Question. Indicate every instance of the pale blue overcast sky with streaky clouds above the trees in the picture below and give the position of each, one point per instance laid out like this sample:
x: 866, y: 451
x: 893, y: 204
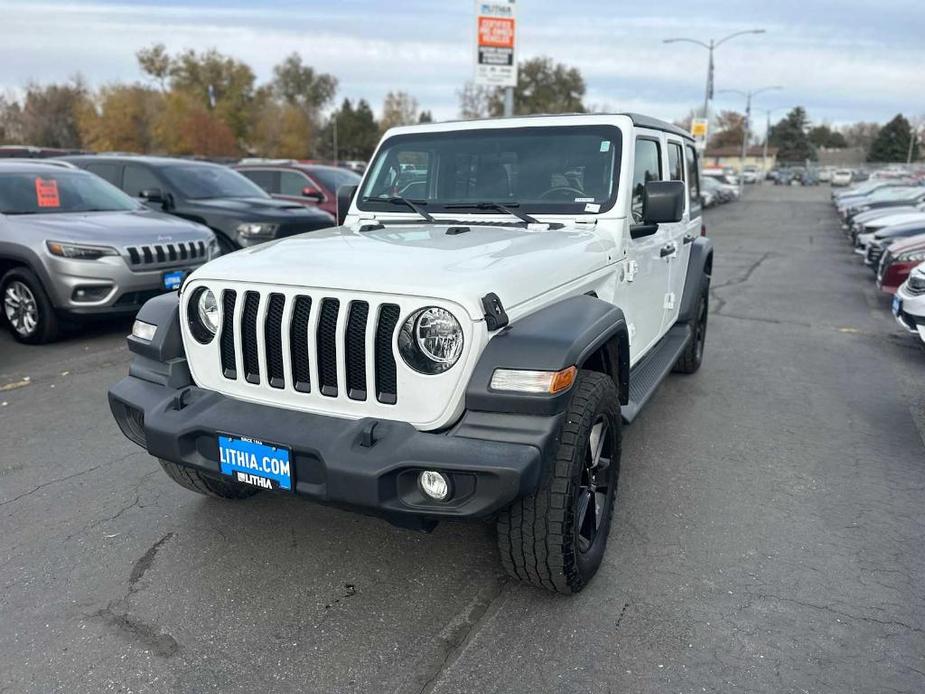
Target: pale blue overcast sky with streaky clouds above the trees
x: 844, y: 60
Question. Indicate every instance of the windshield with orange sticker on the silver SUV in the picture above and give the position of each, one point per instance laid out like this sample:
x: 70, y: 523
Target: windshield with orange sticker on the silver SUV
x: 56, y: 191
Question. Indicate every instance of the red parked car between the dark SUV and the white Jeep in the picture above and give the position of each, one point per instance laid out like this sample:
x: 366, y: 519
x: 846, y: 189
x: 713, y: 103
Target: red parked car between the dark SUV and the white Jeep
x: 306, y: 184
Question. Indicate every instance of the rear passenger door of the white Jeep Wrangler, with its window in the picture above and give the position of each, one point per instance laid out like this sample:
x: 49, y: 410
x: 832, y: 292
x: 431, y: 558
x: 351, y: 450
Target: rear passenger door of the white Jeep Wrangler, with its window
x: 682, y: 234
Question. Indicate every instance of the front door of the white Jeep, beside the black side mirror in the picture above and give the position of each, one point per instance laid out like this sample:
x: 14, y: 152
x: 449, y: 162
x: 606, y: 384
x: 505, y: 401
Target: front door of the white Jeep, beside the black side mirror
x: 646, y: 268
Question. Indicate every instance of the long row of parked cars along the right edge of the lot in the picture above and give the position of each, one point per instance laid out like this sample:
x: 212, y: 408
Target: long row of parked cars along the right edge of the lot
x: 885, y: 220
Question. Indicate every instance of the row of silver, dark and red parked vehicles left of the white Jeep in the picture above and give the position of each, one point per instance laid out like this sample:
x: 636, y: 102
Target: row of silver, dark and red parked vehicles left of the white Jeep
x: 86, y: 236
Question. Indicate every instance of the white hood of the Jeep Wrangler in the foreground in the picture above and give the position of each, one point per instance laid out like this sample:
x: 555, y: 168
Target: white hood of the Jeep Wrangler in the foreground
x: 423, y: 260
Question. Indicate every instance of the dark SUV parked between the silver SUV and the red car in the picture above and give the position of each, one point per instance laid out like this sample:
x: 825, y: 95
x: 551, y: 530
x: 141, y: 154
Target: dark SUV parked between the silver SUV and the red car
x: 240, y: 213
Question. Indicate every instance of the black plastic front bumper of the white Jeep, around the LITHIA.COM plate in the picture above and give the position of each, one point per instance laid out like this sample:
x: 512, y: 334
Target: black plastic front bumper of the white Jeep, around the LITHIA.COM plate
x: 367, y: 464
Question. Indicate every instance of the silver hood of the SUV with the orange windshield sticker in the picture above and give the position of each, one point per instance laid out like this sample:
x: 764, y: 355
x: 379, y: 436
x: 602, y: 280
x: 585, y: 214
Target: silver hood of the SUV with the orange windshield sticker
x: 110, y: 228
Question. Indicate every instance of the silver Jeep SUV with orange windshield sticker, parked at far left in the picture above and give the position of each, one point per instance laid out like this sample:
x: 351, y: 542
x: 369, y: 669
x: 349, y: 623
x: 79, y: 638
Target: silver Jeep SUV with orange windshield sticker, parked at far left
x: 72, y: 247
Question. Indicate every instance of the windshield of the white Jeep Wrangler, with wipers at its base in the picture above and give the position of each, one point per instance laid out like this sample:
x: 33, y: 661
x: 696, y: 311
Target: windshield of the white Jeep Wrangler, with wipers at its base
x: 556, y: 170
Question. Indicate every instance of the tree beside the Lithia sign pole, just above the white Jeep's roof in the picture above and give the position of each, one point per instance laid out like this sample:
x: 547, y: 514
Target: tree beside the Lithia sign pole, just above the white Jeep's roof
x: 543, y: 86
